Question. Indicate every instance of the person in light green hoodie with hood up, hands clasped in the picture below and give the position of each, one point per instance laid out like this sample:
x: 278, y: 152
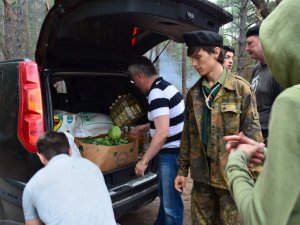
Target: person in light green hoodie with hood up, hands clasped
x: 275, y: 197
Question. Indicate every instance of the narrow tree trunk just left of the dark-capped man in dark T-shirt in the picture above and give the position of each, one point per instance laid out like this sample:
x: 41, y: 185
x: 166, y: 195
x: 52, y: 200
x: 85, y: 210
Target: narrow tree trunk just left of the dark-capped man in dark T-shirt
x: 242, y: 38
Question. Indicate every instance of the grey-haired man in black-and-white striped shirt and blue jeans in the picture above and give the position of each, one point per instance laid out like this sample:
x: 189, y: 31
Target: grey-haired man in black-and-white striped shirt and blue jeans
x: 166, y: 107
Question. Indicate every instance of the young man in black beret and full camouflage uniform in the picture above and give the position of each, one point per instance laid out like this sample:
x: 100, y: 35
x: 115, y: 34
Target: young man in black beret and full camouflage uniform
x: 220, y: 103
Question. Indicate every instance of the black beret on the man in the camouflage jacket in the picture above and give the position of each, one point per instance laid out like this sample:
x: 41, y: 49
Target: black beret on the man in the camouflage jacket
x: 203, y: 38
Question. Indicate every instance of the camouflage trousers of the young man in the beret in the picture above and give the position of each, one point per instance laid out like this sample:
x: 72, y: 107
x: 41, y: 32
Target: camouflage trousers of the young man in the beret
x: 213, y: 206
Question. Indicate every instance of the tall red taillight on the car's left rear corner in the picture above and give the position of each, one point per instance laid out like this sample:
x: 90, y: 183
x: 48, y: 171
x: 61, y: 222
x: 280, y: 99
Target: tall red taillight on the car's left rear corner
x: 31, y: 117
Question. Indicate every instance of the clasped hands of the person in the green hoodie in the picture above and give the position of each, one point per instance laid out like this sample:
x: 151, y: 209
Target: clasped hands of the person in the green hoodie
x: 253, y: 150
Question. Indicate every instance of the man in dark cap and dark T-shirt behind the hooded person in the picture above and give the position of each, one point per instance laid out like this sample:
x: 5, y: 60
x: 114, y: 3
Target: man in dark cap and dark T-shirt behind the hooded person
x: 262, y: 81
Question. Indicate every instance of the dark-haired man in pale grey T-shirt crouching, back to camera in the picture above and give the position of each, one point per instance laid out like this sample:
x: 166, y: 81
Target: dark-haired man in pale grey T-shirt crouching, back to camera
x: 67, y: 190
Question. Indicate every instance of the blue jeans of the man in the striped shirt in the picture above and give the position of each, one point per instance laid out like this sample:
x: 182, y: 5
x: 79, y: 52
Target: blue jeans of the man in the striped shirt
x: 171, y: 206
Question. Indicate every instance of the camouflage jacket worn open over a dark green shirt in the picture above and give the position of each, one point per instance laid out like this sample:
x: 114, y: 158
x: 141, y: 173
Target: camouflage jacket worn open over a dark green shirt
x: 233, y: 110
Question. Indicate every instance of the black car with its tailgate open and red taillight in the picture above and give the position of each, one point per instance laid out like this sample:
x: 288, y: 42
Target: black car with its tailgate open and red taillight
x: 86, y: 45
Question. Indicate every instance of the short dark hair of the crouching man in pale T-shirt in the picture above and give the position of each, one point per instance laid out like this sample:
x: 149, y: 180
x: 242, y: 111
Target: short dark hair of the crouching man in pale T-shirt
x: 52, y: 143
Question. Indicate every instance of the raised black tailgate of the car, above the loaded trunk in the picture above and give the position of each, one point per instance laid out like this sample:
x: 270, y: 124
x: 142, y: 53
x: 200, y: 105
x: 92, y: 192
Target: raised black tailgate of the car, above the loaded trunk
x: 109, y: 33
